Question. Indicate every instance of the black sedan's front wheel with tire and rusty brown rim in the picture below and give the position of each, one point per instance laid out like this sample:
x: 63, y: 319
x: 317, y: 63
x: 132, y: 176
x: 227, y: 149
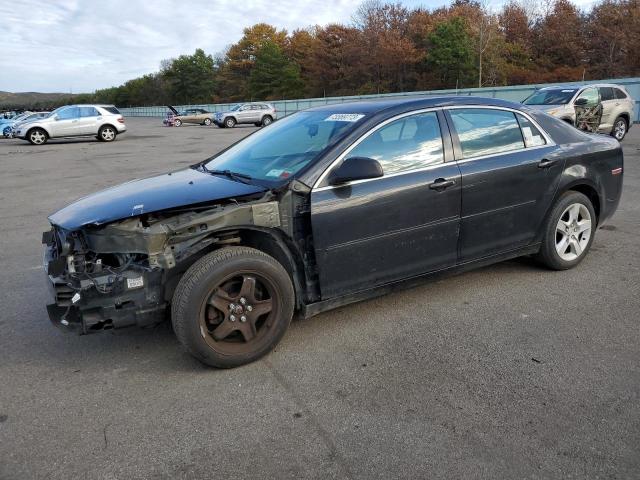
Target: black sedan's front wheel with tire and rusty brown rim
x: 232, y: 306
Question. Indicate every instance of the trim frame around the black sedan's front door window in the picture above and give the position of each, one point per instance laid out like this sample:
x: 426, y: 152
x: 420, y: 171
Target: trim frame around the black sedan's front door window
x: 341, y: 157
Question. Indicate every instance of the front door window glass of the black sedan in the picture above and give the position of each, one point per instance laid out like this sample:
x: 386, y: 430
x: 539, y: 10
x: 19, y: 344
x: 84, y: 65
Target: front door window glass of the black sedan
x: 409, y: 143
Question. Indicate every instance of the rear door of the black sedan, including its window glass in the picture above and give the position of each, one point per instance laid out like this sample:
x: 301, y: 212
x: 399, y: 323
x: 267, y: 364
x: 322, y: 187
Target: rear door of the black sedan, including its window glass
x: 510, y: 171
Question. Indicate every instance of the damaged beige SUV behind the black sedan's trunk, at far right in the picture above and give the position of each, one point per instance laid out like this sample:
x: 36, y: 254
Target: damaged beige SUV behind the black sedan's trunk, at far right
x: 617, y: 105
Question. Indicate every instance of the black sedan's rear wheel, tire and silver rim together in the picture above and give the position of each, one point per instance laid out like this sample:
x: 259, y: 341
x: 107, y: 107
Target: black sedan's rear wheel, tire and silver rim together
x: 568, y: 232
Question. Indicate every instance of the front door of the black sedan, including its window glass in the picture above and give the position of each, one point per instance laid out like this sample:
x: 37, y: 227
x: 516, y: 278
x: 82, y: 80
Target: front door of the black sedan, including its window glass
x: 371, y: 232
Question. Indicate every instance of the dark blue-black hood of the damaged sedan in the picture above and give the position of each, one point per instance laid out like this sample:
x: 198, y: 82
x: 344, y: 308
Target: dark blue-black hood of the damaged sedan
x: 176, y: 189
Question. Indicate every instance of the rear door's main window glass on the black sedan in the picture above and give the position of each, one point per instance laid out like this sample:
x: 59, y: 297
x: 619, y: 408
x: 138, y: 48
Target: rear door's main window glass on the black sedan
x: 486, y: 131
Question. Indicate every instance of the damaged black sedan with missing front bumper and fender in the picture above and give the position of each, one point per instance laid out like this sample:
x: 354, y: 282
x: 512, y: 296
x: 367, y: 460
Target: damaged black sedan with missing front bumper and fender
x: 325, y: 207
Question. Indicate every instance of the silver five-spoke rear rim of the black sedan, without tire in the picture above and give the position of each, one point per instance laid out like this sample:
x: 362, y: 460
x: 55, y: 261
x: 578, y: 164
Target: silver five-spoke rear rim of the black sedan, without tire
x: 573, y: 232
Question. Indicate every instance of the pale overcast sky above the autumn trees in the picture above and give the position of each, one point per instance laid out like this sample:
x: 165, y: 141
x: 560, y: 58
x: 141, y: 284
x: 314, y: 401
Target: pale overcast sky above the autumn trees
x: 79, y: 46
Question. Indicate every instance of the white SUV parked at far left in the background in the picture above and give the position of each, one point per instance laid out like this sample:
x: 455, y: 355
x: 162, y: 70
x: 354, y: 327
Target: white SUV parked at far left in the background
x: 101, y: 121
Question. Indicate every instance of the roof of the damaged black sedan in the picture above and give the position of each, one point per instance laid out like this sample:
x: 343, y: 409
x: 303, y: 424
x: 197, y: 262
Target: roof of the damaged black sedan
x: 404, y: 103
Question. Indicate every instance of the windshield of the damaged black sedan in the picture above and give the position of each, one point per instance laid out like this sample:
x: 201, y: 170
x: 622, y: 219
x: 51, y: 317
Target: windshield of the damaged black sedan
x: 279, y: 151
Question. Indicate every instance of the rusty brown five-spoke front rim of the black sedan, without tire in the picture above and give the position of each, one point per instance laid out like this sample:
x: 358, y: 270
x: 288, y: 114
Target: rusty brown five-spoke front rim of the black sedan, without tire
x: 239, y: 312
